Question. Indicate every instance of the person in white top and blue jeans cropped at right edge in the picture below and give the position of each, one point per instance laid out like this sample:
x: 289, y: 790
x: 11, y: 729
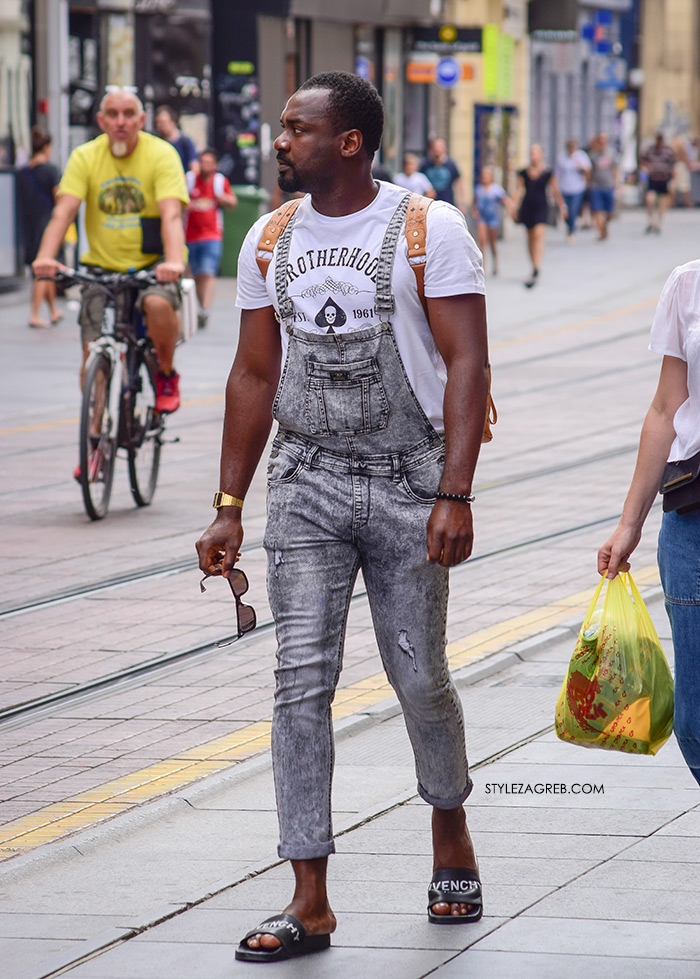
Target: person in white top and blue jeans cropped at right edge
x: 671, y: 434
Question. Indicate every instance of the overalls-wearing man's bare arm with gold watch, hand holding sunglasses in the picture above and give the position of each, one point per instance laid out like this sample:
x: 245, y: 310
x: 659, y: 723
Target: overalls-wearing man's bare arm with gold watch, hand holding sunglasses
x: 250, y: 392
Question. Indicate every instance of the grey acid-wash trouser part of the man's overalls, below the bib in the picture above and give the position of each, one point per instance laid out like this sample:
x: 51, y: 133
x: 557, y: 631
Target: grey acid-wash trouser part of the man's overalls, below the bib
x: 323, y: 525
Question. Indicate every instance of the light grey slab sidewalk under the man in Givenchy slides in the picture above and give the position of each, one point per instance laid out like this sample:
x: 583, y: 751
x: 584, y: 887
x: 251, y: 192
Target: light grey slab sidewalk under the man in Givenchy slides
x: 577, y: 882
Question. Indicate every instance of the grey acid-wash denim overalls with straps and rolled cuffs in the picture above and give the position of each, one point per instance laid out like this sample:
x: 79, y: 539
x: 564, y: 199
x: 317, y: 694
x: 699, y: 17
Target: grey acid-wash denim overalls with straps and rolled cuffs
x: 353, y: 474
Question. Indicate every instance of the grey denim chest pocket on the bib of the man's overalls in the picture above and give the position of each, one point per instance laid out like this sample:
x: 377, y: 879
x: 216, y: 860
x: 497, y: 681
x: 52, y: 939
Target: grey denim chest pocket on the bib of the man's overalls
x: 345, y: 399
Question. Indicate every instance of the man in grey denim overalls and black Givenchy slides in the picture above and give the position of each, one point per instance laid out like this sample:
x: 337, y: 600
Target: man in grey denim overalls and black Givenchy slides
x: 381, y: 411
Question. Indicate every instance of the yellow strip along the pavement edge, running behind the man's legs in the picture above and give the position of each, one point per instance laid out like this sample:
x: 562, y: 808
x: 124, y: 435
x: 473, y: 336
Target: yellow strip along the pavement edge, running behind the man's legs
x: 172, y: 774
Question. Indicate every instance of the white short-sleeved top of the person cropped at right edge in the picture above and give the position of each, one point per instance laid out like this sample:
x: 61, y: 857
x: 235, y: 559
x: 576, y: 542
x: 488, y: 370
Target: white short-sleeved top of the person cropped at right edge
x: 676, y: 332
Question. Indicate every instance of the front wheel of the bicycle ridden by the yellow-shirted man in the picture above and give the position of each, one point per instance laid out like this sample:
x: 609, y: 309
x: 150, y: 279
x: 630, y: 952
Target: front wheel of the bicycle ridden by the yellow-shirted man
x: 98, y: 439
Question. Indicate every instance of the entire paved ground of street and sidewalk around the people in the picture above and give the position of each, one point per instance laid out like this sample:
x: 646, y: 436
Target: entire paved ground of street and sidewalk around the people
x: 572, y: 379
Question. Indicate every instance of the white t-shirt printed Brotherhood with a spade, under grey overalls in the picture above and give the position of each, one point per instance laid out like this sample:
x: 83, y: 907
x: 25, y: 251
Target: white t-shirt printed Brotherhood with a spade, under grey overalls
x: 332, y: 262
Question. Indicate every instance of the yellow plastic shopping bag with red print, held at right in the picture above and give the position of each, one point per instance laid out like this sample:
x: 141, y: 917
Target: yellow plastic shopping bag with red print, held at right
x: 618, y: 690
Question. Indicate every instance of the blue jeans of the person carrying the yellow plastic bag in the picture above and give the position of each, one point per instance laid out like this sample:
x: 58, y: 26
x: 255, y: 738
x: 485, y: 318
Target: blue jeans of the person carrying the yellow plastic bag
x: 679, y: 564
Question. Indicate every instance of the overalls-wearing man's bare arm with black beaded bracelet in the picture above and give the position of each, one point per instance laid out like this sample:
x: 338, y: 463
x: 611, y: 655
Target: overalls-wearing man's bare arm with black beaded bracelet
x: 458, y: 324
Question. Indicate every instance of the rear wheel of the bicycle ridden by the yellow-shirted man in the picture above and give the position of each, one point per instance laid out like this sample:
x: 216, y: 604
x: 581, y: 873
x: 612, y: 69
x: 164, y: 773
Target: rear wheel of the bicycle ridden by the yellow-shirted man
x: 145, y: 428
